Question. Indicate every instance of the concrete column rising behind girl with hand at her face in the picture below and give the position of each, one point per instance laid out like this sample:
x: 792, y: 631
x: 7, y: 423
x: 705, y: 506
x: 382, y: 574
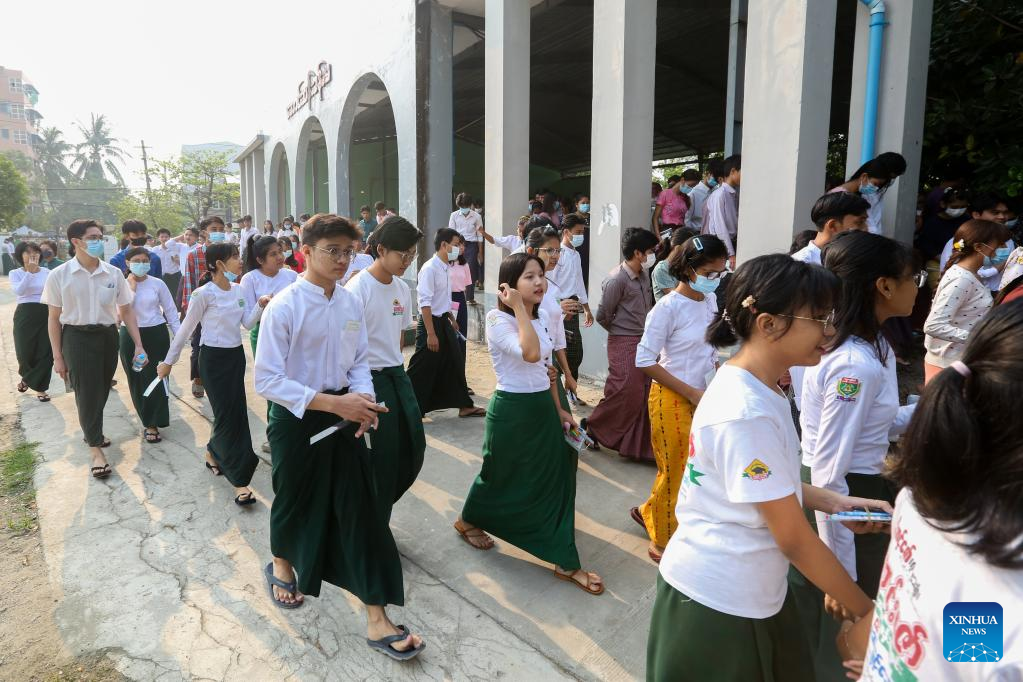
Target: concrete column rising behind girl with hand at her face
x: 507, y: 126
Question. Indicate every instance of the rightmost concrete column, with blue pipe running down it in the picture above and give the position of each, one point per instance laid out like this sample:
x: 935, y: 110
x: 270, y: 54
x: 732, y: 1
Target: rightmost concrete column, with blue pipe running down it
x: 902, y: 103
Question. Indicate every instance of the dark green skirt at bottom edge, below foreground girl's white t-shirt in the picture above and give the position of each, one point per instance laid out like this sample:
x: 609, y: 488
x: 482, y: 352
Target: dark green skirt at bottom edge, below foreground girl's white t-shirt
x: 691, y: 642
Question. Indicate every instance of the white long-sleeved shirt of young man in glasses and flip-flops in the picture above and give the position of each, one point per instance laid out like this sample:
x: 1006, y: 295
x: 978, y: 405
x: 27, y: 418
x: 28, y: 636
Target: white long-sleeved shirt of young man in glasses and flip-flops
x: 309, y: 344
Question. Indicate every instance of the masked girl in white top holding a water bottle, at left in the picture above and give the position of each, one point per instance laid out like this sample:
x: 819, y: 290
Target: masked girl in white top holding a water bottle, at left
x: 155, y: 312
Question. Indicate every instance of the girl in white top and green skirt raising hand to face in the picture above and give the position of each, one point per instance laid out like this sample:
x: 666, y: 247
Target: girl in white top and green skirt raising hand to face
x: 525, y: 492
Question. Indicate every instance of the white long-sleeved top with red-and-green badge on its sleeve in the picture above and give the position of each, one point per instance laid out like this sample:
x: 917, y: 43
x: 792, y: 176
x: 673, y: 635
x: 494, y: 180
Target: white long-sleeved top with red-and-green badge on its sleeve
x: 851, y: 414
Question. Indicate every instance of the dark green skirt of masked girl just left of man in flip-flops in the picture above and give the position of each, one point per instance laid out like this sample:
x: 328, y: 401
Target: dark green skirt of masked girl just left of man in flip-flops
x: 224, y: 375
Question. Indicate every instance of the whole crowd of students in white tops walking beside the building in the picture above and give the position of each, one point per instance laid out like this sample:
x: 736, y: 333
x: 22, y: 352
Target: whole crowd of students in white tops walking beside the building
x: 763, y: 461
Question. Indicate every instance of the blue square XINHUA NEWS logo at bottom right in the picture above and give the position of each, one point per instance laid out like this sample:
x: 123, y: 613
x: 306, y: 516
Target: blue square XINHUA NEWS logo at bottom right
x: 972, y: 632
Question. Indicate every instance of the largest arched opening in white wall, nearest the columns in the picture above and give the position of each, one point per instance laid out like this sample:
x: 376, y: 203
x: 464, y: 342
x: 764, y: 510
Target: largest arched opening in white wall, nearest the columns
x: 368, y: 148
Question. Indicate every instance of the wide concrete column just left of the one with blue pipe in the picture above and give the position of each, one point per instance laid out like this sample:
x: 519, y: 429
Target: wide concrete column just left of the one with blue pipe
x: 789, y: 54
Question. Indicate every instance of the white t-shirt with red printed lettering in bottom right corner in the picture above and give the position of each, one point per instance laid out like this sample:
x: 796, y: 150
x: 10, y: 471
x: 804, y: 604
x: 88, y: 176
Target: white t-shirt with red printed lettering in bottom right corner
x: 926, y: 569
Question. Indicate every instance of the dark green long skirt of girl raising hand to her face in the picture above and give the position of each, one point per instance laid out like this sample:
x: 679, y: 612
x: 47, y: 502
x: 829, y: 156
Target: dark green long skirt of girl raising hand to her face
x: 525, y: 493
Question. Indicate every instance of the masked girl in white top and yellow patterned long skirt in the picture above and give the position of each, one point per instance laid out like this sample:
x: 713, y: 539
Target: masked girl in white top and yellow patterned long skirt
x: 675, y: 354
